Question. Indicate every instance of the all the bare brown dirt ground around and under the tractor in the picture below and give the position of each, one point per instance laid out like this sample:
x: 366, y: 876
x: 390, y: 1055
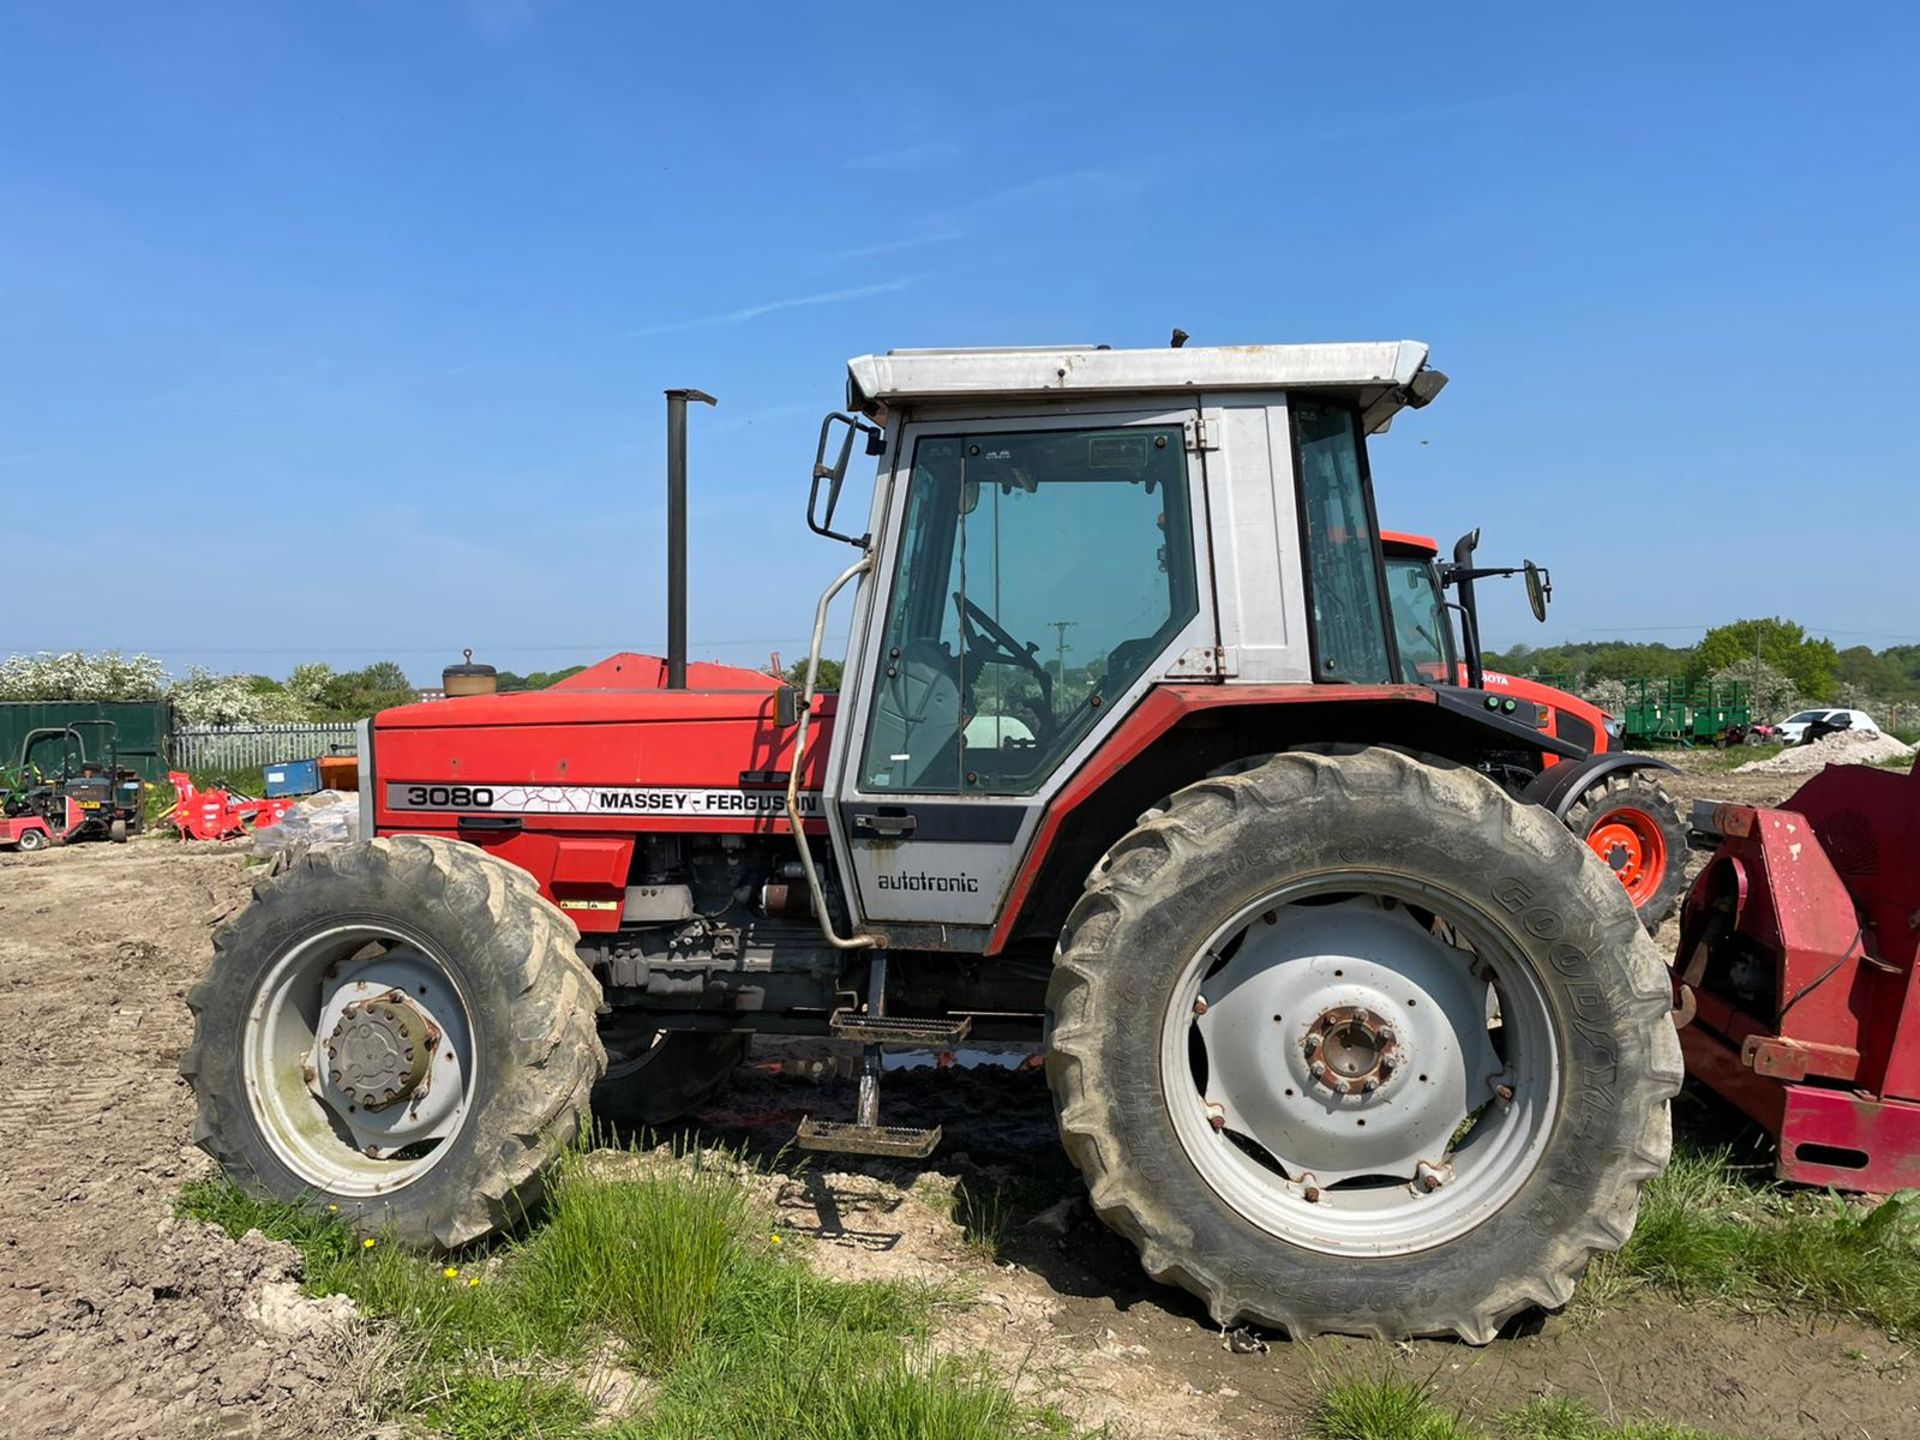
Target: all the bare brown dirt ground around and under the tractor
x: 120, y: 1322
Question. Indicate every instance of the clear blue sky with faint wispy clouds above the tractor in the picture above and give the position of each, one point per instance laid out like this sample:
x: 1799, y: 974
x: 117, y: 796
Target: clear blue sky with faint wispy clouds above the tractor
x: 339, y: 329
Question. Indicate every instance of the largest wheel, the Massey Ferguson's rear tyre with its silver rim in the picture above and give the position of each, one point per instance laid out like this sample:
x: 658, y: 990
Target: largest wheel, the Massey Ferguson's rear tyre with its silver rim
x: 1362, y: 1045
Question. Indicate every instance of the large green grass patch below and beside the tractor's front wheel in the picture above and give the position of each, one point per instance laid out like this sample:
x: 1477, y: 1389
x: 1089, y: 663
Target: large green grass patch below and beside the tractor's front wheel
x: 675, y: 1272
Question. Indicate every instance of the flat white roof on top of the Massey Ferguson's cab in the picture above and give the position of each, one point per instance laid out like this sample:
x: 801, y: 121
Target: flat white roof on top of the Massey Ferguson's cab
x: 1366, y: 370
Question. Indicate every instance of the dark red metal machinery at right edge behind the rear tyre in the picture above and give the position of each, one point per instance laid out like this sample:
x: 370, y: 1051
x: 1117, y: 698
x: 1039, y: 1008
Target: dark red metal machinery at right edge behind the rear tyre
x: 1796, y: 963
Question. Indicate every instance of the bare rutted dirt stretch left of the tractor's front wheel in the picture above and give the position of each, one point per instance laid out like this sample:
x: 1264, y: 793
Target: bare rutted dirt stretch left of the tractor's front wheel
x: 116, y: 1318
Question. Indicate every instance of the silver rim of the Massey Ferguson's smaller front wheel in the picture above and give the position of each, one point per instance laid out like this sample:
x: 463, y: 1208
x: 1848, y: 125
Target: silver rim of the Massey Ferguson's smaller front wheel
x: 335, y: 1009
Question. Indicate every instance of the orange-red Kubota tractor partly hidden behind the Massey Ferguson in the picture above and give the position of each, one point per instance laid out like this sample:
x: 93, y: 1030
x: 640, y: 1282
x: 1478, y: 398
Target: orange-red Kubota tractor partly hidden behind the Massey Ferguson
x: 1612, y: 800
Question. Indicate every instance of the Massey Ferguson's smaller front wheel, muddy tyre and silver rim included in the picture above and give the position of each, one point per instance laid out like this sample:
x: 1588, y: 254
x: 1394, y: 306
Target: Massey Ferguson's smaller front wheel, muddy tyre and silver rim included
x: 396, y: 1030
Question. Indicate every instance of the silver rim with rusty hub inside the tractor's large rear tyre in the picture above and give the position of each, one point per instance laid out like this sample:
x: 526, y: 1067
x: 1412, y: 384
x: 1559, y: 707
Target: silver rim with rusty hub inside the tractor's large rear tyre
x: 1437, y: 1053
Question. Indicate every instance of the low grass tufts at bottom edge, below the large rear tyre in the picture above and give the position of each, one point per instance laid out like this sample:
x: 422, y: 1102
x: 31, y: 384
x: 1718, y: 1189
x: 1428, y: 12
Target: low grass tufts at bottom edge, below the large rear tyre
x: 1389, y: 1408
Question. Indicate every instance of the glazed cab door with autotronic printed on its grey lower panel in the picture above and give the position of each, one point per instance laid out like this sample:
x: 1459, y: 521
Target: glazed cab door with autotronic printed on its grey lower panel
x: 1036, y: 577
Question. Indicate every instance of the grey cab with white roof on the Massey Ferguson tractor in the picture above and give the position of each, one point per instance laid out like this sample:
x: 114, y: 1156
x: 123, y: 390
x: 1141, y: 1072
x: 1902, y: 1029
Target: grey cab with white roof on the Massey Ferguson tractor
x: 1067, y: 539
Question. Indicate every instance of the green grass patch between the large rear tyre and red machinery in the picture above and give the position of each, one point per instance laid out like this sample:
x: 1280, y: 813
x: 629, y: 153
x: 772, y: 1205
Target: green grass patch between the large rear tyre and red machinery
x: 1712, y: 1230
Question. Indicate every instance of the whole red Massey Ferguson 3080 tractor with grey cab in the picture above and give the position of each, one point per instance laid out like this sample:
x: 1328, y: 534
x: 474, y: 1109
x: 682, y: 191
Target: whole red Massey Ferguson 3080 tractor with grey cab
x: 1341, y: 1036
